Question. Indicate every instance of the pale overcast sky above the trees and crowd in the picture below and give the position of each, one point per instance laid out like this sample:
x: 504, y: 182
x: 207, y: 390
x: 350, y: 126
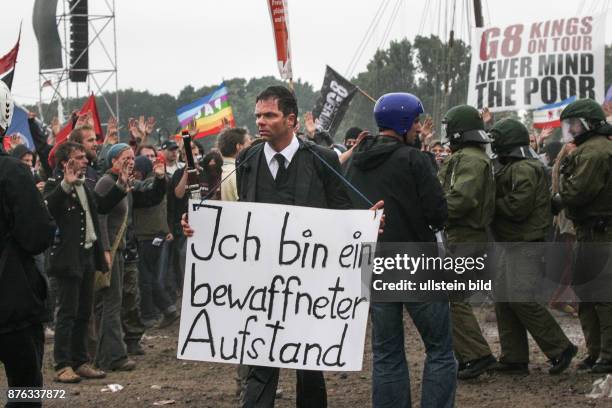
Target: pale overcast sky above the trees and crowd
x: 165, y: 45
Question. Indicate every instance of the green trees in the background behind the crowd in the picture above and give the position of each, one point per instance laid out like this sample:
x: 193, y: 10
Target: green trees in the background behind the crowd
x: 428, y: 67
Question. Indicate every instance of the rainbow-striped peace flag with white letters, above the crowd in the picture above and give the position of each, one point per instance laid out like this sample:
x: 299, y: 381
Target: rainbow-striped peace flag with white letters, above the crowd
x: 211, y: 113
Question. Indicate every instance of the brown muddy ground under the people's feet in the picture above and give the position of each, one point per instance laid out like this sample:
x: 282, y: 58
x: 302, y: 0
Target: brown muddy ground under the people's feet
x: 160, y: 376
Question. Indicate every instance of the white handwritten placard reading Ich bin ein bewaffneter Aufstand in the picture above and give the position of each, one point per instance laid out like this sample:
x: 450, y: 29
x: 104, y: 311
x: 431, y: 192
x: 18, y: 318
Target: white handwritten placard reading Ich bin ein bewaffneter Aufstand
x: 276, y: 285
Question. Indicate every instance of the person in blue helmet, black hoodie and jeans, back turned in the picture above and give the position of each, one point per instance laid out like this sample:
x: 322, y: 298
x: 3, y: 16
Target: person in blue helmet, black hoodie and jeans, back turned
x: 388, y: 167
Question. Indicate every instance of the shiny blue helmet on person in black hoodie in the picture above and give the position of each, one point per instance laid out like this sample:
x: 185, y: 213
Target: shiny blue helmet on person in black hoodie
x: 397, y: 111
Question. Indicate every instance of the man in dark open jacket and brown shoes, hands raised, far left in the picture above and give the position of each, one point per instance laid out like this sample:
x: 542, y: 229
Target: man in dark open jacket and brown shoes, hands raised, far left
x: 75, y: 256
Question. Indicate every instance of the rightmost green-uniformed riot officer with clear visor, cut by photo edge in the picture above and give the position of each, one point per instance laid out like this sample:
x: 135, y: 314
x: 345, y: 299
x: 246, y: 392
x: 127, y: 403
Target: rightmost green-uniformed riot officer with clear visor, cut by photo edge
x: 586, y: 195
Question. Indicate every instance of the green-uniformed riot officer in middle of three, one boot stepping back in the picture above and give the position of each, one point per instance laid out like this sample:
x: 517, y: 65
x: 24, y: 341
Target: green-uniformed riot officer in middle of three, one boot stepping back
x: 522, y: 216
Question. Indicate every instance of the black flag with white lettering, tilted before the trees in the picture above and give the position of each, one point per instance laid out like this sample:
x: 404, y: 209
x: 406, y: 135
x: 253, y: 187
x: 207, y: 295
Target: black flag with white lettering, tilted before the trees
x: 336, y: 95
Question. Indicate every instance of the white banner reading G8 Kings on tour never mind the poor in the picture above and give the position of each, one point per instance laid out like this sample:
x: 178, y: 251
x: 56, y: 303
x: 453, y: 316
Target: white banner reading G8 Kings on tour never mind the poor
x: 527, y: 66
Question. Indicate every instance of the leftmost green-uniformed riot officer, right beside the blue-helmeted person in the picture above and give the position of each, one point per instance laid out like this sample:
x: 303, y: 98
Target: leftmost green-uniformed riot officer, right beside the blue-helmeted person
x: 469, y: 188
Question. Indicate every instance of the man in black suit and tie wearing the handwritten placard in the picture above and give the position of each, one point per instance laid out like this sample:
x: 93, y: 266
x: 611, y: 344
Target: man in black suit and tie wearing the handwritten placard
x: 287, y: 170
